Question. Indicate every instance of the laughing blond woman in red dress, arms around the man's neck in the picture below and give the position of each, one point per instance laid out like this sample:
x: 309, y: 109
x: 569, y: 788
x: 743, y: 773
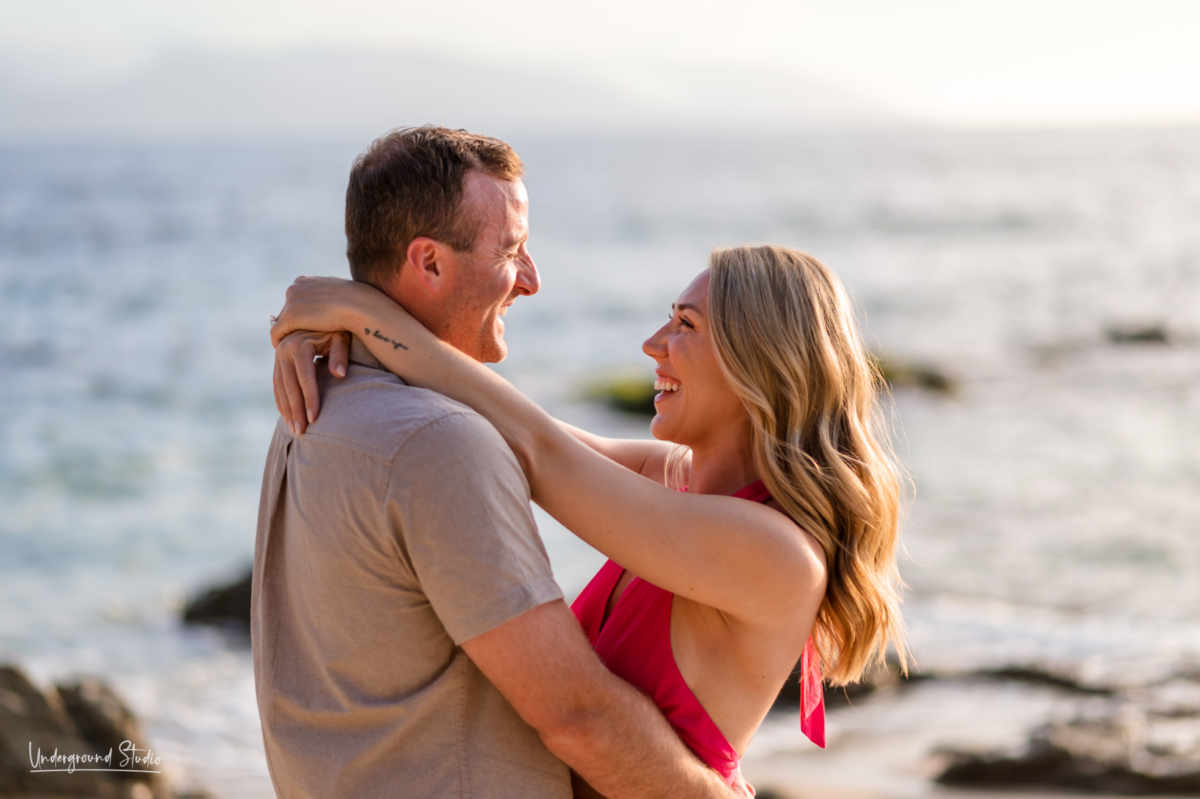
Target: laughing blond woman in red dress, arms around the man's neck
x: 766, y: 394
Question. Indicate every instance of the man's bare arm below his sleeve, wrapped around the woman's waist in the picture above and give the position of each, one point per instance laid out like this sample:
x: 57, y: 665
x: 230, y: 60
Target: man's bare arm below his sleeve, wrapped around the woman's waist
x: 599, y: 725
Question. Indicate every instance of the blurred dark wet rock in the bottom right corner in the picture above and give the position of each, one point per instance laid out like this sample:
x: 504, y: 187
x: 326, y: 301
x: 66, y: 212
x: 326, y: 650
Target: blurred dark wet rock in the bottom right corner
x: 1147, y: 742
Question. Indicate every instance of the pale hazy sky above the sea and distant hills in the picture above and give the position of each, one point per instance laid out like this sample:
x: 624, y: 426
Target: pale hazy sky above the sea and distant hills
x: 974, y: 64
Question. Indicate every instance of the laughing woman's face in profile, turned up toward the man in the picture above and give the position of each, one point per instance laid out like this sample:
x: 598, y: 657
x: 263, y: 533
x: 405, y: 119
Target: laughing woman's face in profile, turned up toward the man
x: 695, y: 405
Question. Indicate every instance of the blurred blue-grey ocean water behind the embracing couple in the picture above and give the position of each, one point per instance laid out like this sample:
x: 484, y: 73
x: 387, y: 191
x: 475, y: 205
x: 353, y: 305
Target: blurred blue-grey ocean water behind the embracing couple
x: 1057, y: 496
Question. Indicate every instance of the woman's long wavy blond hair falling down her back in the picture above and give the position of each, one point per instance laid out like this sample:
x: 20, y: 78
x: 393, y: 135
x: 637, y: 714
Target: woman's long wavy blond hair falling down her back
x: 787, y: 339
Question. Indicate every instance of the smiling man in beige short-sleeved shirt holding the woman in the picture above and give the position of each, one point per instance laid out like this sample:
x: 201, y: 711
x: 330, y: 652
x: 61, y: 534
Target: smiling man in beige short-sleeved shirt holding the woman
x: 410, y: 639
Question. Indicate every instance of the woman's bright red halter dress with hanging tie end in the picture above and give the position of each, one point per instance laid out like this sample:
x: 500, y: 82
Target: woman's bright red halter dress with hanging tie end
x: 635, y: 645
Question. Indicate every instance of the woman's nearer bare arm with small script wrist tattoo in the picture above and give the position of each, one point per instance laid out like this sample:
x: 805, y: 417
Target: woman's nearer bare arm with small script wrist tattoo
x: 742, y: 558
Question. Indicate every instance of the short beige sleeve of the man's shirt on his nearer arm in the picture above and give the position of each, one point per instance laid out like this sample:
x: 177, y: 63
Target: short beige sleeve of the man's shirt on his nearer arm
x: 460, y: 508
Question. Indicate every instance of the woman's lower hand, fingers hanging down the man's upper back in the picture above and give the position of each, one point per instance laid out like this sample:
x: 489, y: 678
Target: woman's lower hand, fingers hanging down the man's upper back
x: 296, y: 375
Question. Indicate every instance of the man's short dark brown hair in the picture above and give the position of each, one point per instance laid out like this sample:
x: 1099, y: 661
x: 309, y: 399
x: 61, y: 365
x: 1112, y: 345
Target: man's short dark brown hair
x: 410, y: 184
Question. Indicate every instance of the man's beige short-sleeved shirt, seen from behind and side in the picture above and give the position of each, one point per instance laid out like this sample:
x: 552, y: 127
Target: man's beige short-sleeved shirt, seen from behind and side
x: 392, y: 532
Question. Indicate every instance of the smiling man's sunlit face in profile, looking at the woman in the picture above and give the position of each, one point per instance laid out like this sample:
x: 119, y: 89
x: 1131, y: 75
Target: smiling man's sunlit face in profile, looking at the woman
x: 495, y: 273
